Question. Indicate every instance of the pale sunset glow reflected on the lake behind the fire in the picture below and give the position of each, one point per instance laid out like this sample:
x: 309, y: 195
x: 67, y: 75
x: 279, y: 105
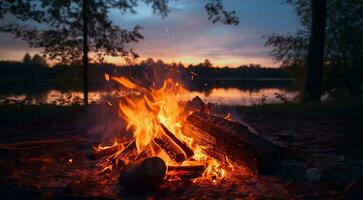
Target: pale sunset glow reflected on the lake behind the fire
x: 221, y: 96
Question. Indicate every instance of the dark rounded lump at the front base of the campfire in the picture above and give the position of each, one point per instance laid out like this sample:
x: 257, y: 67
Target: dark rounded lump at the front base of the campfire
x: 144, y: 175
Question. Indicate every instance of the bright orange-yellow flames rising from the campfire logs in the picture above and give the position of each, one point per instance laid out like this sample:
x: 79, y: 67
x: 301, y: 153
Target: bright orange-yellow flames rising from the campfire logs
x: 145, y: 110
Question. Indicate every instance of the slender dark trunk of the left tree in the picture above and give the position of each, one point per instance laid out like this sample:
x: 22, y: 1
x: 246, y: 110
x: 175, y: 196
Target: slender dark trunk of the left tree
x: 85, y: 51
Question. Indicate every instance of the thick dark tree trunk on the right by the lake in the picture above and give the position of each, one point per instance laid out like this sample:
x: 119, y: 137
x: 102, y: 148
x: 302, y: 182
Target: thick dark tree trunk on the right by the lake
x: 316, y: 52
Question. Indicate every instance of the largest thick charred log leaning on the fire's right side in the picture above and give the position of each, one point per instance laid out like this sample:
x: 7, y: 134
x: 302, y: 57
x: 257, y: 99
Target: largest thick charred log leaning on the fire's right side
x: 223, y: 137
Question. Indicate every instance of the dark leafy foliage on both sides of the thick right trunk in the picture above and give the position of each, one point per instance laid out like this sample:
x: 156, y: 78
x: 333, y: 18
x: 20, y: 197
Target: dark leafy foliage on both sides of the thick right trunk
x: 343, y: 46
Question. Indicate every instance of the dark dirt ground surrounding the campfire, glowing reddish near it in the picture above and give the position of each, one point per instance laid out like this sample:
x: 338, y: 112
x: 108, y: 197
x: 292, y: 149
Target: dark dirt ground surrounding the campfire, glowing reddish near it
x: 49, y: 159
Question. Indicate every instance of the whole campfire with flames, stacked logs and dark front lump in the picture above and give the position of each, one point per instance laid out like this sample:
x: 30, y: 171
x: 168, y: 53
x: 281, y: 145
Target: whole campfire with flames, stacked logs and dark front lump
x: 174, y: 140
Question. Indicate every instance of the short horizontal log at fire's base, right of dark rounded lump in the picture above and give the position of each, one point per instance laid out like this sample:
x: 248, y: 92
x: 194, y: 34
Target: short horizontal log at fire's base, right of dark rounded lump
x: 185, y: 172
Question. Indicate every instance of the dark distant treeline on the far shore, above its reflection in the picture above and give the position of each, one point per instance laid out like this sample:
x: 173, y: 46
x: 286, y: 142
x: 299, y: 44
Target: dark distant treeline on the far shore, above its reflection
x: 37, y: 69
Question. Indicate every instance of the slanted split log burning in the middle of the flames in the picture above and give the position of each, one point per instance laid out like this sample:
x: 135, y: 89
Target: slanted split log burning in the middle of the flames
x: 177, y: 150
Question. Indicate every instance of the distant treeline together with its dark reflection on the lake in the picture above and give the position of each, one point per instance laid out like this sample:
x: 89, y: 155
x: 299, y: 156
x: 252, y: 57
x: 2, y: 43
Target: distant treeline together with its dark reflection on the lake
x: 36, y: 72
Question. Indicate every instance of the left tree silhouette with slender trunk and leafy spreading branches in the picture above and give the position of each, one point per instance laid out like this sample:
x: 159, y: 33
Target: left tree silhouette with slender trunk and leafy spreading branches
x: 74, y: 28
